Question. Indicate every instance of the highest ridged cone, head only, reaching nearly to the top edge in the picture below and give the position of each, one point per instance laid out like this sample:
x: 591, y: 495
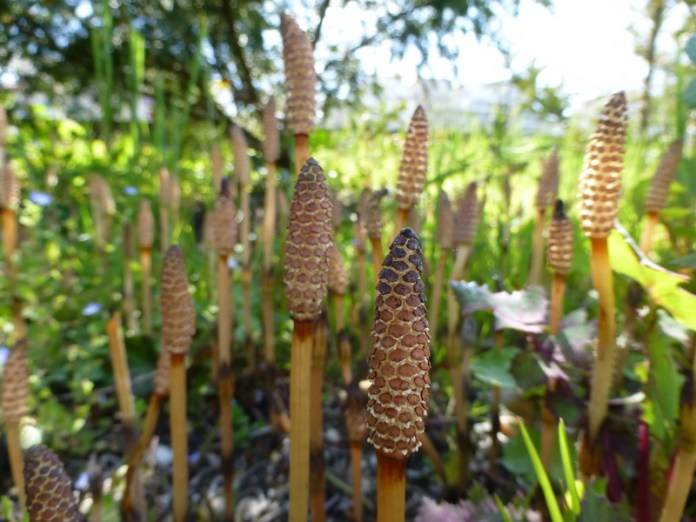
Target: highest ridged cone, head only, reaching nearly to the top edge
x: 300, y: 77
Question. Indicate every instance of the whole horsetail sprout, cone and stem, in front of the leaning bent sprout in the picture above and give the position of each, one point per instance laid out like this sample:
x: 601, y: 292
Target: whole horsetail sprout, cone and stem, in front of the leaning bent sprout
x: 178, y: 327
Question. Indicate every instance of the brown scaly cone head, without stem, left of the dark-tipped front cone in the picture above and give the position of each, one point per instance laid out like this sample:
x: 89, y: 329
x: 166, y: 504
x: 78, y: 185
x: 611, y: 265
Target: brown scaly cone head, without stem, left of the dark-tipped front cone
x: 308, y: 242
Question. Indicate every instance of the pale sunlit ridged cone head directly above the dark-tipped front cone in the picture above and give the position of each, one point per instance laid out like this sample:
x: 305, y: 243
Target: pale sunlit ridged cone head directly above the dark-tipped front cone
x: 414, y: 162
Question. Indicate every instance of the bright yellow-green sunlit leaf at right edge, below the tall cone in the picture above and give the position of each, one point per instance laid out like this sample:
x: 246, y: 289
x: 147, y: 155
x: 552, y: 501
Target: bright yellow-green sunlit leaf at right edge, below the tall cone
x: 661, y: 284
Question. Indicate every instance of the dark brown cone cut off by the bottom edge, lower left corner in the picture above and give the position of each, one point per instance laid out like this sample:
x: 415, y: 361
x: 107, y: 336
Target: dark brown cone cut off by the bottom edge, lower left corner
x: 49, y: 490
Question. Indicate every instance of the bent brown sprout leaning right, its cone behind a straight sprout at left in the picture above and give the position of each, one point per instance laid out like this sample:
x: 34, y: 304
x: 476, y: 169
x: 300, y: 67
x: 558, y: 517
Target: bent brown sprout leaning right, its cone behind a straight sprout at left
x: 159, y: 395
